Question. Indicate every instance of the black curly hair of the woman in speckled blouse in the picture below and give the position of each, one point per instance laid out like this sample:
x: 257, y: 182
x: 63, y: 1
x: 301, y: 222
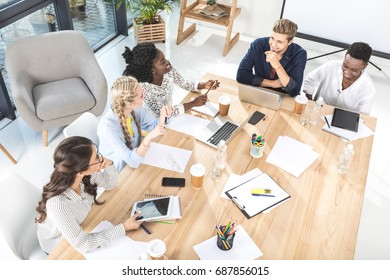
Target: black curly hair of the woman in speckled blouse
x: 140, y: 61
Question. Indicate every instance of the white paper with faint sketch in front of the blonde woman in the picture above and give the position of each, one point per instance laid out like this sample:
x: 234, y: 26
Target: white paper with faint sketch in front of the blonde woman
x: 167, y: 157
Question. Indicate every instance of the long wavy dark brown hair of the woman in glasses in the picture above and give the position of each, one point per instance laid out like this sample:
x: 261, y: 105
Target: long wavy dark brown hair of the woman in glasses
x: 71, y: 156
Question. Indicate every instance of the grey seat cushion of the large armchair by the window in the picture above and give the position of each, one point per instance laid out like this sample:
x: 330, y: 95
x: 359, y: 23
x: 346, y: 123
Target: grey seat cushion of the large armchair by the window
x: 69, y: 97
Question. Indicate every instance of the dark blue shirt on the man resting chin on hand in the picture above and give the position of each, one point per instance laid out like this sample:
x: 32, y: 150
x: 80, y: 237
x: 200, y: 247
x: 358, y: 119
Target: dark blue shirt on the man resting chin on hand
x: 293, y: 62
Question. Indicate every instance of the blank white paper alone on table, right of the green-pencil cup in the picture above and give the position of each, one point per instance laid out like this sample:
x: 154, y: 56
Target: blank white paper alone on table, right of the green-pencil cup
x: 292, y: 155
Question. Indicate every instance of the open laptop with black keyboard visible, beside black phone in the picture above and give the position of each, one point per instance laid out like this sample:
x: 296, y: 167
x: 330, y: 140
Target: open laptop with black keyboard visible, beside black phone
x: 219, y: 129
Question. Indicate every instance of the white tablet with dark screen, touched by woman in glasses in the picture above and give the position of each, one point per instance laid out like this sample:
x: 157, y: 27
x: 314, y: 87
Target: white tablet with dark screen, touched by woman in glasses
x: 153, y: 209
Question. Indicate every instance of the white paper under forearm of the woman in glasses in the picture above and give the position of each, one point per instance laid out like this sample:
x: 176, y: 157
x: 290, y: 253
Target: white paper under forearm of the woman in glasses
x: 123, y: 248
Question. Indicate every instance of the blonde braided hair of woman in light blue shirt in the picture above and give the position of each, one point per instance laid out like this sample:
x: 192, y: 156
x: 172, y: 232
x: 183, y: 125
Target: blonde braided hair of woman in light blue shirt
x: 123, y: 91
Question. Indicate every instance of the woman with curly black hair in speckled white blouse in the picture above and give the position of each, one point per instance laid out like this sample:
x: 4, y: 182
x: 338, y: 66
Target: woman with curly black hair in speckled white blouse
x: 157, y: 76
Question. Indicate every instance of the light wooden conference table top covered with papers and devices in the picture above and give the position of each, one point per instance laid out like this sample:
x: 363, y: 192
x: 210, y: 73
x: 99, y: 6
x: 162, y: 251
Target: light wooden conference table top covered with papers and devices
x: 319, y: 221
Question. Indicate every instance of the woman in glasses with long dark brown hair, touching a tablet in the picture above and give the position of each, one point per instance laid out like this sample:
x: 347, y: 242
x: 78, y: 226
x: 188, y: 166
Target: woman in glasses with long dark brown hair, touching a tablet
x: 67, y: 199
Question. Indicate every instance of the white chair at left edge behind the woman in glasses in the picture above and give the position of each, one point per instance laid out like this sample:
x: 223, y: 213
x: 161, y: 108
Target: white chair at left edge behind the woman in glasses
x: 17, y: 214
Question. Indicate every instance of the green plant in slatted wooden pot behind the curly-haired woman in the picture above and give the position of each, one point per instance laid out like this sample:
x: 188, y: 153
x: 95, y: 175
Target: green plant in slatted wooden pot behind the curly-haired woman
x: 149, y: 25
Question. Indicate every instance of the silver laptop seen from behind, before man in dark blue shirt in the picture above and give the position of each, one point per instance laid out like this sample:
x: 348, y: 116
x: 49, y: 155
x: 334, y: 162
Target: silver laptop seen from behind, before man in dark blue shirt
x: 260, y: 96
